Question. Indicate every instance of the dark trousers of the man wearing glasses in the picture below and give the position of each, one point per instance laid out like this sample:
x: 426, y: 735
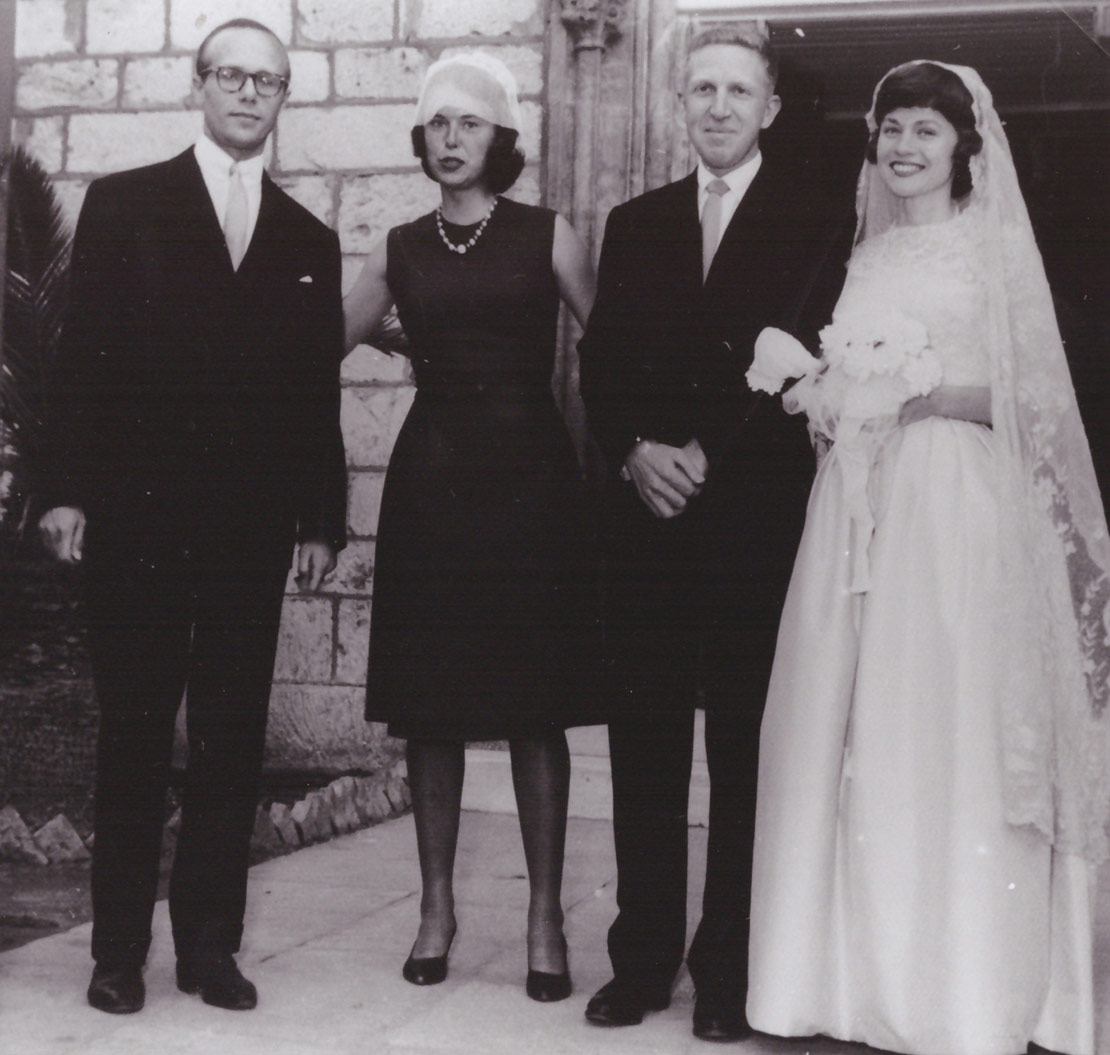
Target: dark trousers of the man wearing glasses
x: 204, y: 625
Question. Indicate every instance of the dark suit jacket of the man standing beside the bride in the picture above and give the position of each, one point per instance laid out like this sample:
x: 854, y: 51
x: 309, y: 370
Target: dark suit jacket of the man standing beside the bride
x: 664, y: 358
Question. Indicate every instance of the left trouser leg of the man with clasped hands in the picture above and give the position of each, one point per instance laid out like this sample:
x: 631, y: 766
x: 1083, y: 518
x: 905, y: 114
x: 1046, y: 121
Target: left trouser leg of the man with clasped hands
x: 652, y: 628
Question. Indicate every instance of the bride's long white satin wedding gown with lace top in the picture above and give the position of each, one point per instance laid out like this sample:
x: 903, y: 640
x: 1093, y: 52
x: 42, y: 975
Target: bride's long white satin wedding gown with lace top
x: 892, y: 902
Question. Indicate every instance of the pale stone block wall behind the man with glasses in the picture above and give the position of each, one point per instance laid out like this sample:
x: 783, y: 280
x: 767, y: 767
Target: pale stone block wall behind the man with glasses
x: 105, y: 85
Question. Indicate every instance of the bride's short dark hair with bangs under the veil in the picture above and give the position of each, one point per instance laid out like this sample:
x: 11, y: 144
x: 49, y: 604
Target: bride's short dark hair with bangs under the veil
x: 935, y: 88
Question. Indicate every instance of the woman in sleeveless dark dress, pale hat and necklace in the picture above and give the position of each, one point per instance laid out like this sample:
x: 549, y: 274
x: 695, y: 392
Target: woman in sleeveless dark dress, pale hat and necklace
x: 483, y: 624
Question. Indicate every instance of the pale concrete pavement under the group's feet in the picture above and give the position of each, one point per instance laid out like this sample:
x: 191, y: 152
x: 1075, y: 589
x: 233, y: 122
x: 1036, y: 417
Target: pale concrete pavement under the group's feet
x: 327, y: 933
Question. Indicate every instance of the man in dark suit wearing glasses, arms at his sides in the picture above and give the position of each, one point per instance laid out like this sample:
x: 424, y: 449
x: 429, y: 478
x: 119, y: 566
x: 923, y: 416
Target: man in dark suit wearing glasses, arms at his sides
x: 195, y: 441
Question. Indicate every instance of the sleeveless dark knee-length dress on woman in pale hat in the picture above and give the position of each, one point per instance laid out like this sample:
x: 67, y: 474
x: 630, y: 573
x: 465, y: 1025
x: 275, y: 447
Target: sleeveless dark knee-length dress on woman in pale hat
x: 485, y: 619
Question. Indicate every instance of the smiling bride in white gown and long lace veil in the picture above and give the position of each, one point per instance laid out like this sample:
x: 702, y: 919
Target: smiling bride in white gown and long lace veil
x: 934, y: 779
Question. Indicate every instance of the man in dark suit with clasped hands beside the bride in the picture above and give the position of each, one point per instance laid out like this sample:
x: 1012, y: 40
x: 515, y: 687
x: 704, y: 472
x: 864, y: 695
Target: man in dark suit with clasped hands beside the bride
x: 704, y: 507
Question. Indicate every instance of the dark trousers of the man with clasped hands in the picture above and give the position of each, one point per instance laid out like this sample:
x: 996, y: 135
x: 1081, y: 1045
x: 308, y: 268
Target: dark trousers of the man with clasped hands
x: 690, y: 625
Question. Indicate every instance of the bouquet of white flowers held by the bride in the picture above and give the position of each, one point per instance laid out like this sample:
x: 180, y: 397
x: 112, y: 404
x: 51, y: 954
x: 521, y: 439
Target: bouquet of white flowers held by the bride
x: 872, y: 364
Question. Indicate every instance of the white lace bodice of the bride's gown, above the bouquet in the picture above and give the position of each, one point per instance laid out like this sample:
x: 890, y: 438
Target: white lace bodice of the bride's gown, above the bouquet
x: 932, y: 274
